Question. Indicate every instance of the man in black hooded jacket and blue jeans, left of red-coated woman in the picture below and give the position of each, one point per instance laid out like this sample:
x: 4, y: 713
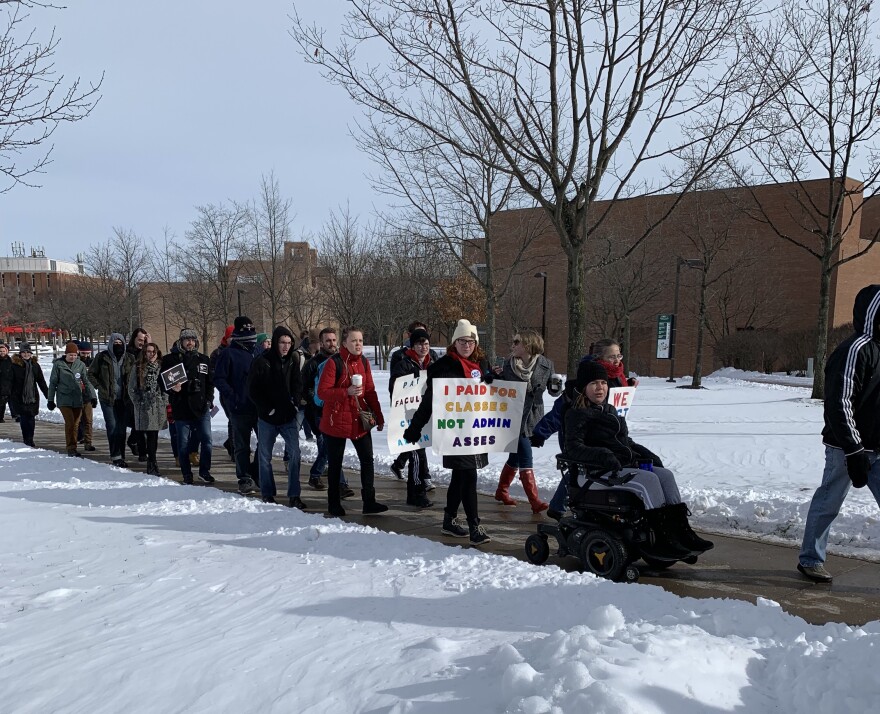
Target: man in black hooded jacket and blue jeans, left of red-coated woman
x: 275, y: 387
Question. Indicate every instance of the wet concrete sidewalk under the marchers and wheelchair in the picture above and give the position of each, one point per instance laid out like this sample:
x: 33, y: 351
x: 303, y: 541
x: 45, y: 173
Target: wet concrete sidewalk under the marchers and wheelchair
x: 736, y: 568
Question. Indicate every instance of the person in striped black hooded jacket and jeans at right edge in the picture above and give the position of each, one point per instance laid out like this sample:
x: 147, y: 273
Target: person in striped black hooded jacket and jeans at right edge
x: 852, y: 430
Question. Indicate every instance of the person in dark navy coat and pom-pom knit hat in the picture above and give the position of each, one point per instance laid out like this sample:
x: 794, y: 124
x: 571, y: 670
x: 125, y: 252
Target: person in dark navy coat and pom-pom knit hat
x: 231, y: 370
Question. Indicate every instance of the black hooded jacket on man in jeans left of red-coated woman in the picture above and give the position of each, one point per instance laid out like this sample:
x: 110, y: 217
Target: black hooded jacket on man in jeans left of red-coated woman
x: 275, y: 384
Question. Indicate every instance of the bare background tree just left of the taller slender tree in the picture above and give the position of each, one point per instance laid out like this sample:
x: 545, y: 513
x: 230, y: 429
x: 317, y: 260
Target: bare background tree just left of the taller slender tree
x: 213, y: 245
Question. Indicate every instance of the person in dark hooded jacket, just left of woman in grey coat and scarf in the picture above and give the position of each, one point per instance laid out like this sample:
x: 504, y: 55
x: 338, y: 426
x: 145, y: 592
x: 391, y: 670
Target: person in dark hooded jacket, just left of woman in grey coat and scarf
x: 106, y: 373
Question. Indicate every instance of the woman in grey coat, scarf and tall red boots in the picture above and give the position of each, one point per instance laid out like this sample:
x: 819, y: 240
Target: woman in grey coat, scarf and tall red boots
x: 528, y: 364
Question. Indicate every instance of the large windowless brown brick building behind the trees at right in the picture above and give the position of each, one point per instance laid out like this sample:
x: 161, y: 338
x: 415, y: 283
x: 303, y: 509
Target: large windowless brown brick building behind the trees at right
x: 759, y: 281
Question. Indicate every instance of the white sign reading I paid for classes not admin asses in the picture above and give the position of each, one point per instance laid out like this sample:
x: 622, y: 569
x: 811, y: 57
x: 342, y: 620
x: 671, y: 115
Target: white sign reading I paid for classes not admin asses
x: 471, y: 417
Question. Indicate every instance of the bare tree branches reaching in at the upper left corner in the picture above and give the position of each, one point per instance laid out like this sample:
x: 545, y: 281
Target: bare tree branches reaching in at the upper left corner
x: 34, y: 100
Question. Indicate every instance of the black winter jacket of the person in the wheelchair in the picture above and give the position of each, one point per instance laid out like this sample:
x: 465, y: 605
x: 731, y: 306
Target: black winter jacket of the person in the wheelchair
x: 598, y: 437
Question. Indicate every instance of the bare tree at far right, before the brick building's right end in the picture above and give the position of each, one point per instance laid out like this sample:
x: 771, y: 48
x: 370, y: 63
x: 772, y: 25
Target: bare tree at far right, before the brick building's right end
x: 823, y: 122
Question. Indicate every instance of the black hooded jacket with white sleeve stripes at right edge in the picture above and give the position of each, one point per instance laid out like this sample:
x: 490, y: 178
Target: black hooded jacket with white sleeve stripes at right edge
x: 852, y: 381
